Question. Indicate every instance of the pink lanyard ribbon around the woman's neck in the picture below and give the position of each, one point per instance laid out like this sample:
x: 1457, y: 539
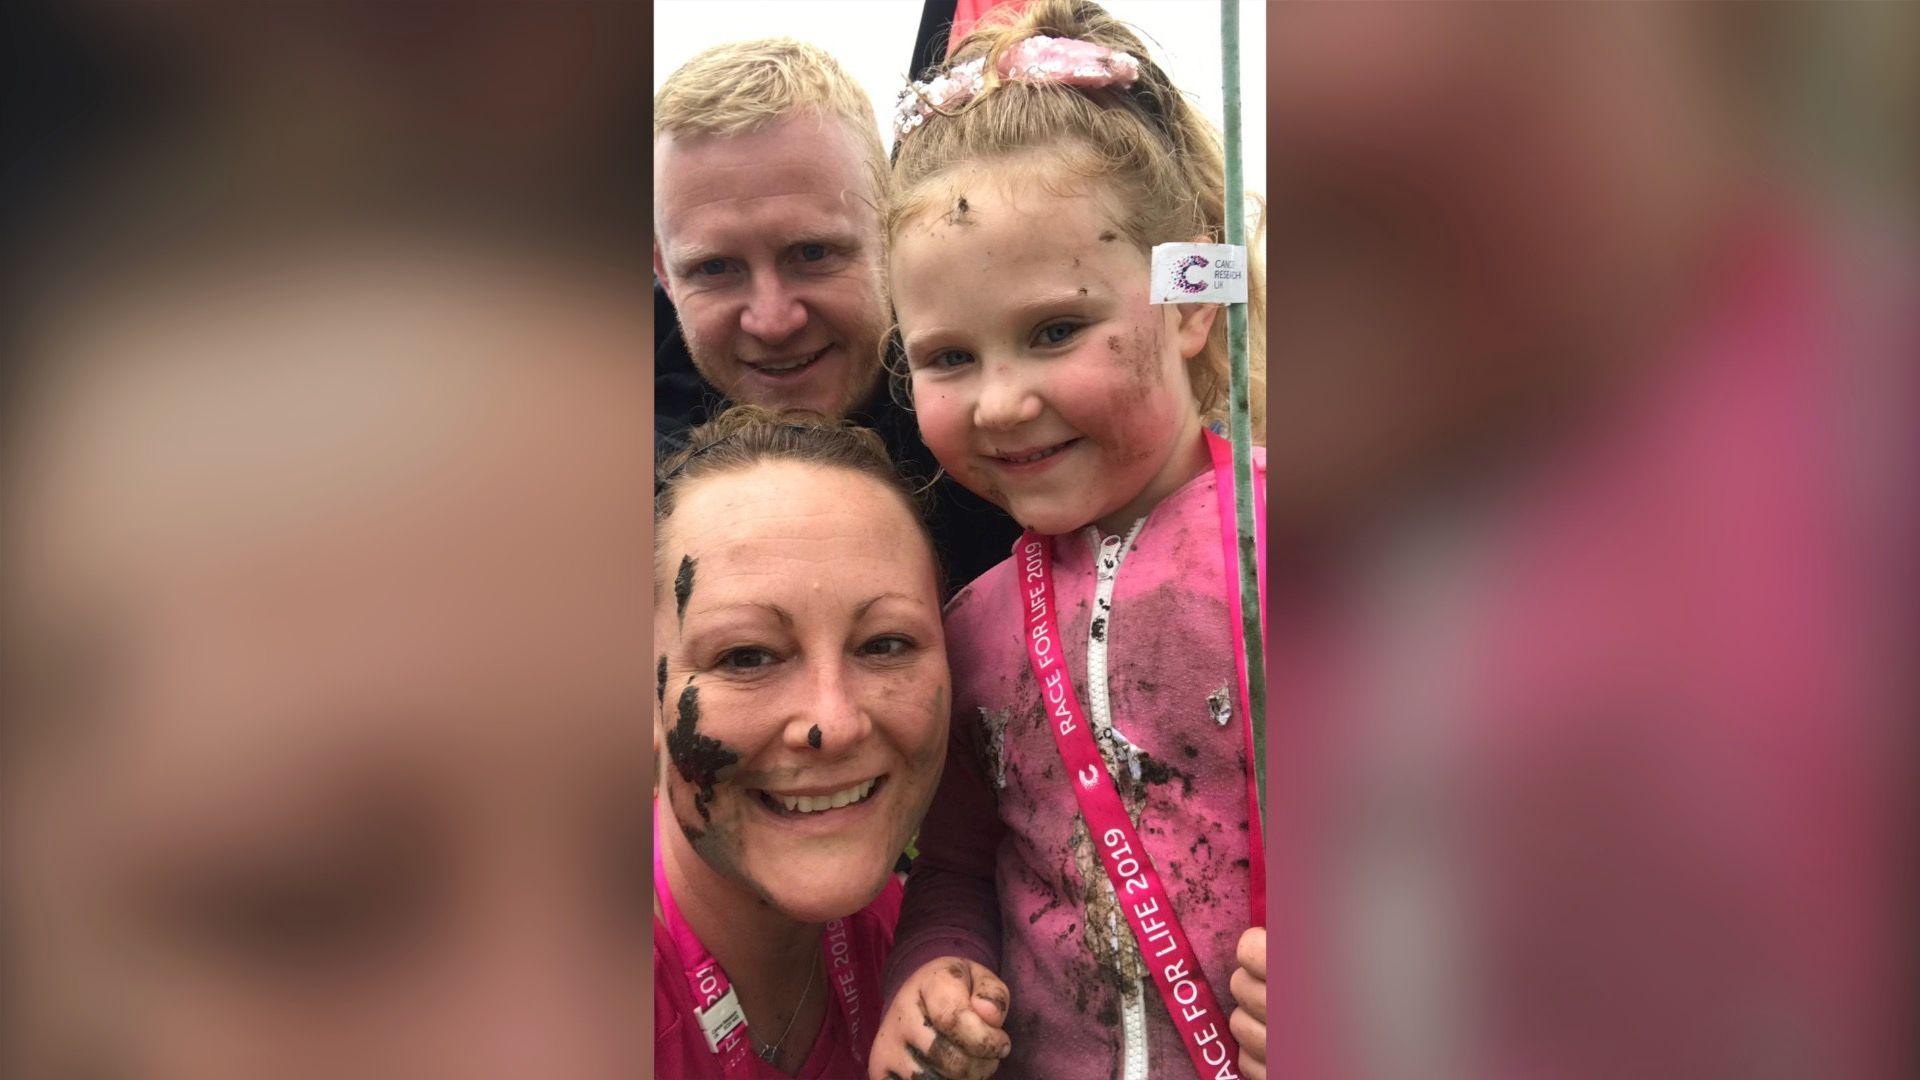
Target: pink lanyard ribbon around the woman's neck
x: 717, y: 1008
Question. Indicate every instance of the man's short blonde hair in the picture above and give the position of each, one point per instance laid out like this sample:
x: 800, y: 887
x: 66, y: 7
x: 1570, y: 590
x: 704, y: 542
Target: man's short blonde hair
x: 740, y: 87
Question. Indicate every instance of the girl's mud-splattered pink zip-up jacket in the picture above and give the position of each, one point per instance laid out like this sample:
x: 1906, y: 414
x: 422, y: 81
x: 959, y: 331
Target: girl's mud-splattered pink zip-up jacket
x: 1007, y: 875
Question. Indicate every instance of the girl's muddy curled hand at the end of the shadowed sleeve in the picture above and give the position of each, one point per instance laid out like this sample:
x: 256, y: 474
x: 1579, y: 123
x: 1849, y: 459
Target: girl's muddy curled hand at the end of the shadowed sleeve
x: 944, y: 1025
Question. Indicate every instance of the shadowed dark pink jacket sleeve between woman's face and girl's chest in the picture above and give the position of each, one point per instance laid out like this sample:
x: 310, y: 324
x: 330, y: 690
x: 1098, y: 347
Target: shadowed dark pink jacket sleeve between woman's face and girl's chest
x: 951, y: 904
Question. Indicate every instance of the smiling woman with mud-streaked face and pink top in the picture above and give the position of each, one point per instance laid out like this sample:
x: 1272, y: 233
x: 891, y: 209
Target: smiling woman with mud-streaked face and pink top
x: 804, y: 716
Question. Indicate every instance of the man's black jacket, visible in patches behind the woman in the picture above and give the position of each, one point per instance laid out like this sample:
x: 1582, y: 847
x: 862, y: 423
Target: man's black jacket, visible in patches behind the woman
x: 969, y: 533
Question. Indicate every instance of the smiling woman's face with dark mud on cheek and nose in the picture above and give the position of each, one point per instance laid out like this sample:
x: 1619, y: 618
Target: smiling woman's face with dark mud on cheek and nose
x: 804, y: 660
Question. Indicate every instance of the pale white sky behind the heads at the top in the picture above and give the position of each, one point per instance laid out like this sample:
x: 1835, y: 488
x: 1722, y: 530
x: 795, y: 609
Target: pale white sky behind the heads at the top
x: 875, y: 41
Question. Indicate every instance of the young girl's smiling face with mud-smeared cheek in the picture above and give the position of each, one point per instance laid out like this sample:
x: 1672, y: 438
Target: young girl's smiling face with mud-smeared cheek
x: 1044, y: 380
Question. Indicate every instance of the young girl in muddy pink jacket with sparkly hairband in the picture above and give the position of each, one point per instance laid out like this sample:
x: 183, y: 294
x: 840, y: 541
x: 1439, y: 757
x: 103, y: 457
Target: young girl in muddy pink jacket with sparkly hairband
x: 1090, y: 868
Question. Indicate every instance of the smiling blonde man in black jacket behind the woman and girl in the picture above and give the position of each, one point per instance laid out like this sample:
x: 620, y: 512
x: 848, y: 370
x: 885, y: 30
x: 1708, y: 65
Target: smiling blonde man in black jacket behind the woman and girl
x: 767, y: 247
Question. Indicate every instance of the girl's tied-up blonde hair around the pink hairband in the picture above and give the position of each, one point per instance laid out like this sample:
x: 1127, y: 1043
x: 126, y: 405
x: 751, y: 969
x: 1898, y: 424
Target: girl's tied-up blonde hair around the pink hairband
x: 1147, y: 145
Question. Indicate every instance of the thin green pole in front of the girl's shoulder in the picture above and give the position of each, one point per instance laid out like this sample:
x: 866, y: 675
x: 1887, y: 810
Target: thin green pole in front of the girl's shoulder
x: 1239, y: 416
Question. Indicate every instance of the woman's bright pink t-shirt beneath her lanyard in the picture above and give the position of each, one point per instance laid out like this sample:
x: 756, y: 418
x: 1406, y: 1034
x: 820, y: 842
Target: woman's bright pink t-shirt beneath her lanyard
x: 681, y: 1050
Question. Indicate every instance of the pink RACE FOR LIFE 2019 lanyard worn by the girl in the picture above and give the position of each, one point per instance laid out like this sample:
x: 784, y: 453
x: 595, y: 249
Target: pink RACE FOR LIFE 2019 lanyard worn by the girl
x: 1164, y: 946
